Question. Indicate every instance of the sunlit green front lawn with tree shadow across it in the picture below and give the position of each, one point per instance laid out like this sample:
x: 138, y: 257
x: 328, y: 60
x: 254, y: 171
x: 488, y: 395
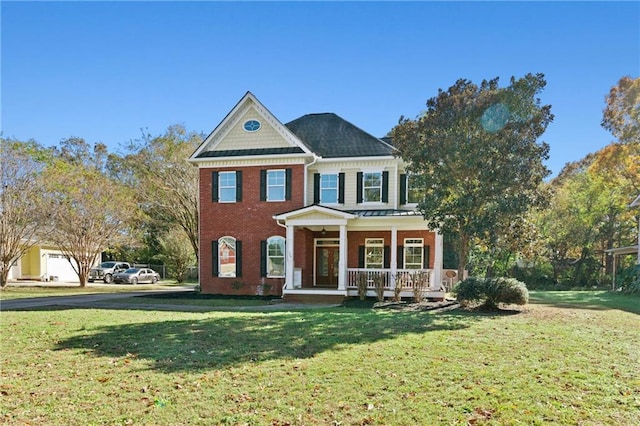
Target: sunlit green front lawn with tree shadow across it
x: 567, y: 358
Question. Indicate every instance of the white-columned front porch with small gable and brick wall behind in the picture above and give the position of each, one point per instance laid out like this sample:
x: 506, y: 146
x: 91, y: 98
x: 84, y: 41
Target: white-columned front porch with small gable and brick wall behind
x: 338, y: 254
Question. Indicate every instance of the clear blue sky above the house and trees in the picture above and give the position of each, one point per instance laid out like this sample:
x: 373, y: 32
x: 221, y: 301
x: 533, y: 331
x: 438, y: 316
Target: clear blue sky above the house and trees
x: 105, y: 70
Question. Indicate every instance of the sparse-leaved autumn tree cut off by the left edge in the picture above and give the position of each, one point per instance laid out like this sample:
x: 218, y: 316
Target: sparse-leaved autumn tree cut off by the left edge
x: 23, y: 214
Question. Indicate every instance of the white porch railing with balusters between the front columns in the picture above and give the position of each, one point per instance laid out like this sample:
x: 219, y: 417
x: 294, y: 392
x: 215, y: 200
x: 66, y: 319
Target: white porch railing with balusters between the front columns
x: 407, y: 279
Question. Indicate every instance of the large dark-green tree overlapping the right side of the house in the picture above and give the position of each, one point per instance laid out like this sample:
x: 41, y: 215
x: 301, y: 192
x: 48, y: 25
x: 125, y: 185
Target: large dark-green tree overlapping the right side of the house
x: 475, y: 152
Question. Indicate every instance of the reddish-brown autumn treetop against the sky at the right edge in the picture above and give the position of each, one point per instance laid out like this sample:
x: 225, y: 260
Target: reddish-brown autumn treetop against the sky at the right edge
x: 622, y: 112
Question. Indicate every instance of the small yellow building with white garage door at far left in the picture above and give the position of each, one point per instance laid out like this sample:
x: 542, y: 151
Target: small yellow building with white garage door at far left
x: 43, y: 262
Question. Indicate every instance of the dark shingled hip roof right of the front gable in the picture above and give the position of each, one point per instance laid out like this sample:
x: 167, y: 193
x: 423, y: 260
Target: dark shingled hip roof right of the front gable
x: 330, y: 136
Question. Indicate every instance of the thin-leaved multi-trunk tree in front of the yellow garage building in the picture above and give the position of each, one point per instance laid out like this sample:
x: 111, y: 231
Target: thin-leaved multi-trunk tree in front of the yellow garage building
x: 89, y: 208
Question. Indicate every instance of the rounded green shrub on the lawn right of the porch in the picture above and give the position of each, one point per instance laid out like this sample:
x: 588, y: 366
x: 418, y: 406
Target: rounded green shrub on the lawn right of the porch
x: 491, y: 292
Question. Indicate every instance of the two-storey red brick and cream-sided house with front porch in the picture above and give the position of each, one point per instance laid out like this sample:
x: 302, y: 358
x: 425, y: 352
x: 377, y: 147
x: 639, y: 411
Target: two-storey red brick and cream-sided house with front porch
x: 307, y: 210
